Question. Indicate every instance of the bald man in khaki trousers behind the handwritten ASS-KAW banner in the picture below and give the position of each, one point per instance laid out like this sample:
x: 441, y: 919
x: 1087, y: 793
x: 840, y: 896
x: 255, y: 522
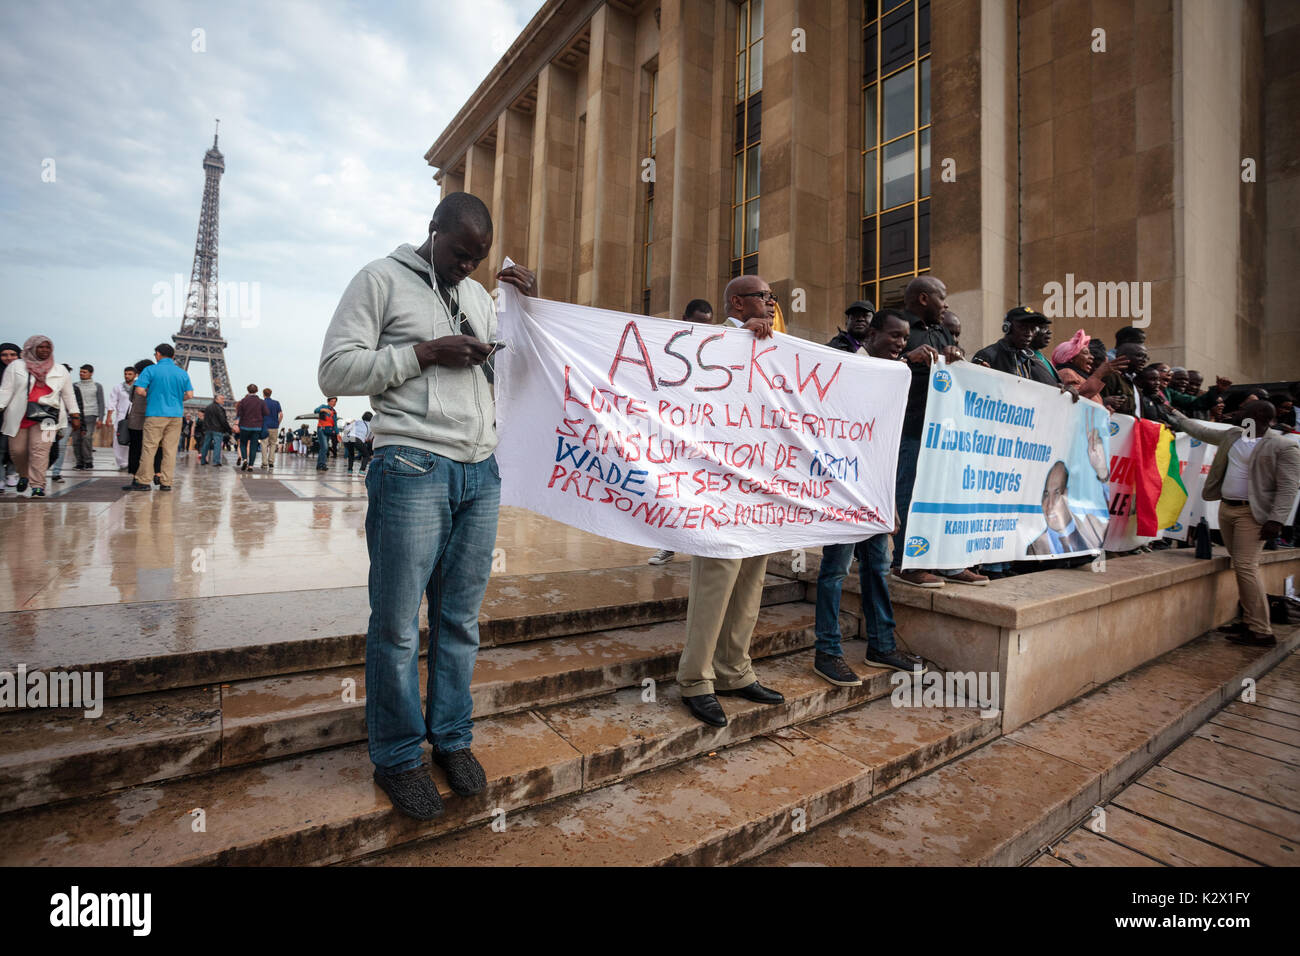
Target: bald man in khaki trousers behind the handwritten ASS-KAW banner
x: 726, y: 594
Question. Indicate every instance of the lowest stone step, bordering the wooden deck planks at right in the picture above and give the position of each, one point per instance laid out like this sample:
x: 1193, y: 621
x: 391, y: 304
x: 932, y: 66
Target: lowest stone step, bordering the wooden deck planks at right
x: 1000, y: 806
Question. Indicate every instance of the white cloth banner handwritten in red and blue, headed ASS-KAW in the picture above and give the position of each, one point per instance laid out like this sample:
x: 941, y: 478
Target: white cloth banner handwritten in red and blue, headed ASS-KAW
x: 700, y: 439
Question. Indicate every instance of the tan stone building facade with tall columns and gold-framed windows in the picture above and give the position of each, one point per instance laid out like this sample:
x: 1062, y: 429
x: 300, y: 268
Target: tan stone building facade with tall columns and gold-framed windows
x: 638, y: 155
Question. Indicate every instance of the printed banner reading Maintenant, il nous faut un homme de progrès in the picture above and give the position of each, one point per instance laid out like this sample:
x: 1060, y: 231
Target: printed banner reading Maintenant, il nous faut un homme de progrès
x: 1009, y: 470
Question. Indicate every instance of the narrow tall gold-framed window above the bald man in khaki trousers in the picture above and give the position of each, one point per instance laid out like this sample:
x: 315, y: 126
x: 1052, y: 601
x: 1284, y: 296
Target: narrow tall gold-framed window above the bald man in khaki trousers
x: 749, y: 128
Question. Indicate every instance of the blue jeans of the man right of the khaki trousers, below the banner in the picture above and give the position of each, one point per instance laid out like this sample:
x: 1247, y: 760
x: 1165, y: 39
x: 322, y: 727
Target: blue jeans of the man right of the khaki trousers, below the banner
x: 874, y: 581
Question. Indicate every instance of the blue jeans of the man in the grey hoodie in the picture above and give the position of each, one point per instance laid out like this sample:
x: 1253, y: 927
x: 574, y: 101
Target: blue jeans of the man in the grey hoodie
x: 431, y: 527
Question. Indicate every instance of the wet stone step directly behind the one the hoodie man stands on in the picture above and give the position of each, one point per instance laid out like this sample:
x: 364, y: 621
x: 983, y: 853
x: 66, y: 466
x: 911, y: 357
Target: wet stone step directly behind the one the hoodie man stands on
x: 49, y: 756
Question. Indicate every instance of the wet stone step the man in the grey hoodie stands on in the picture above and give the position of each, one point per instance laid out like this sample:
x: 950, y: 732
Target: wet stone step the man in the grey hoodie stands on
x: 326, y: 808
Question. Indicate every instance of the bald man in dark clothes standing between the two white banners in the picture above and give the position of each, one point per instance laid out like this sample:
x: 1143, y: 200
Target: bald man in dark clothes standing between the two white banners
x: 926, y: 301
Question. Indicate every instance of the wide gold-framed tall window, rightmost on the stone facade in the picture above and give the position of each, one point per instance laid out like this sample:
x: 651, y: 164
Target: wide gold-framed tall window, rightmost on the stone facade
x: 895, y: 148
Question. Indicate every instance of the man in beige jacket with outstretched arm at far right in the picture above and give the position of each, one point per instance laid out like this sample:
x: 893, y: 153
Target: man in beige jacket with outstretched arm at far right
x: 1255, y: 478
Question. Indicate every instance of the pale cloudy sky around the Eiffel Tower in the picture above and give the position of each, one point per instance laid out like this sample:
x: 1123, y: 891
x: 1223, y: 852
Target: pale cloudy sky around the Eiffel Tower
x: 327, y: 110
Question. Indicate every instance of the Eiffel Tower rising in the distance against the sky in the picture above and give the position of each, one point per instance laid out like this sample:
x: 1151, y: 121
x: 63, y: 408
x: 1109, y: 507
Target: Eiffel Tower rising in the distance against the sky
x: 201, y: 339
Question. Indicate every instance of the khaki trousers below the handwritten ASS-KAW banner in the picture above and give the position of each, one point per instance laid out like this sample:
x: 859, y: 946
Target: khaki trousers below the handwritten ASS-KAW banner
x: 726, y: 595
